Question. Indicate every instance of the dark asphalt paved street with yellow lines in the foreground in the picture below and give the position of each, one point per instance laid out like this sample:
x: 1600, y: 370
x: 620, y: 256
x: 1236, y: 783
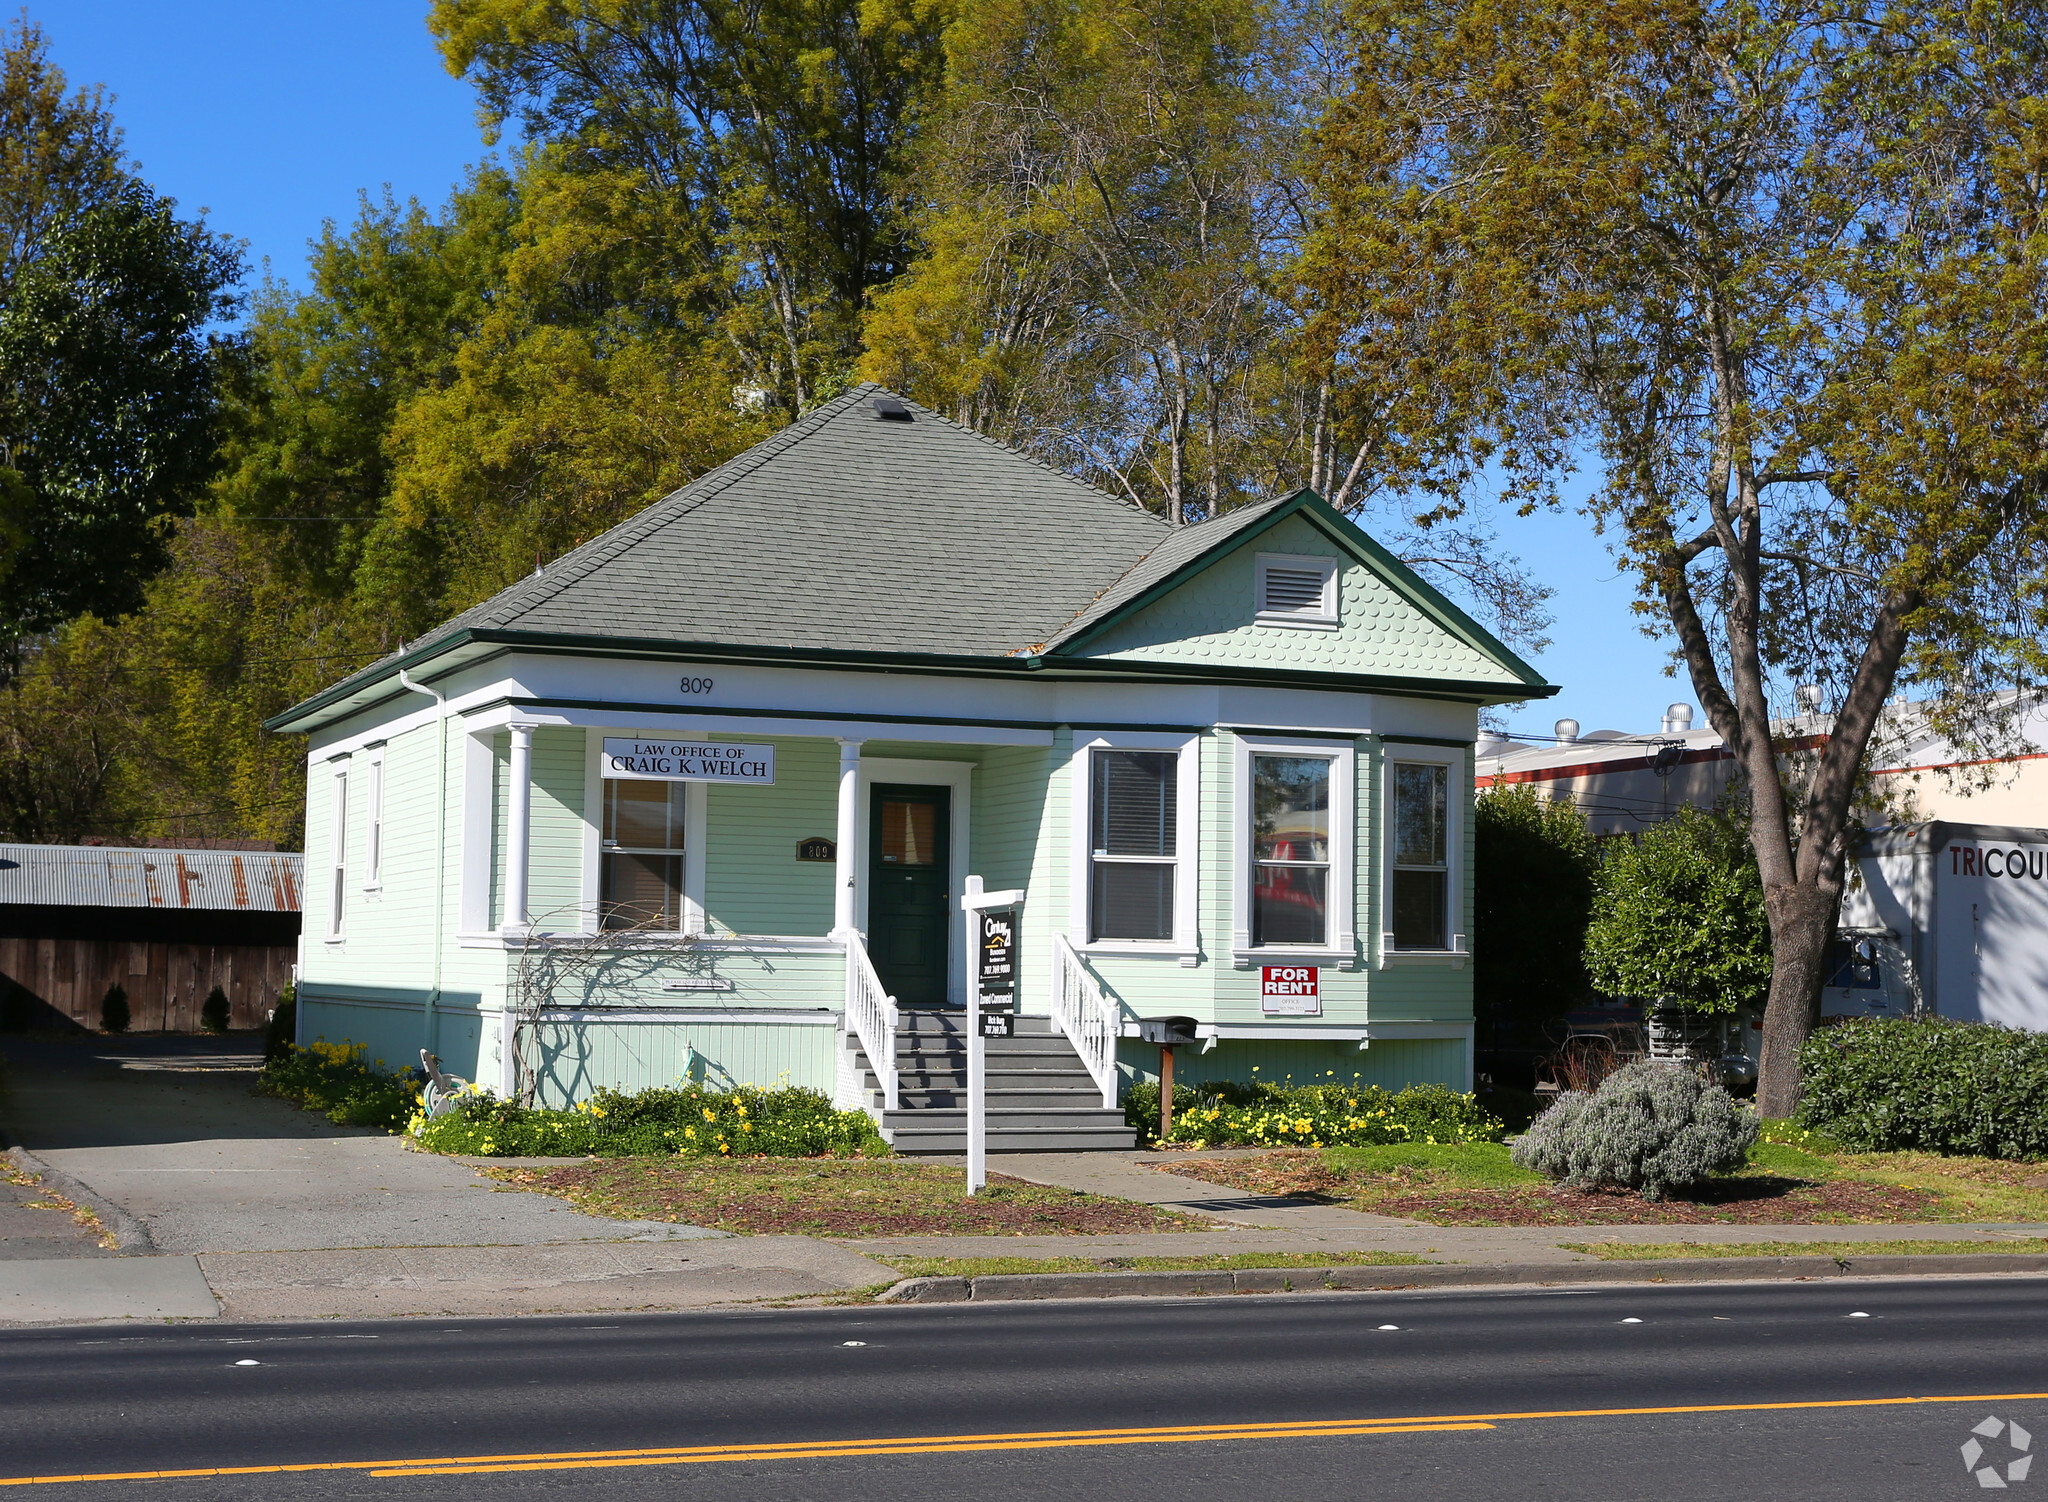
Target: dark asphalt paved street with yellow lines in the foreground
x: 1469, y: 1396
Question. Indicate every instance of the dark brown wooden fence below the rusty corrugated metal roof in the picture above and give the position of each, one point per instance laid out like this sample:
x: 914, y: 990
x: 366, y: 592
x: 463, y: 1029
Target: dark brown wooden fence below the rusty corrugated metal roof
x: 167, y: 983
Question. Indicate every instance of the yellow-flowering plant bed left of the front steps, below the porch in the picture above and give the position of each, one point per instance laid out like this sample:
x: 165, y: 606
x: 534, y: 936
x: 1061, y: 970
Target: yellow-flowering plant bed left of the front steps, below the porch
x: 685, y: 1122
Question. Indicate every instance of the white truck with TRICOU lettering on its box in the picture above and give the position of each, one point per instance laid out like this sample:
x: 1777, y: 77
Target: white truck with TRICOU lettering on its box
x: 1953, y: 917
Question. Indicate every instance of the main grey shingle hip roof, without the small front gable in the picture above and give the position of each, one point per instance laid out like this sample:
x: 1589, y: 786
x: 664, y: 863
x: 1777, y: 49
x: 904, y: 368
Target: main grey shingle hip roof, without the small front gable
x: 853, y: 534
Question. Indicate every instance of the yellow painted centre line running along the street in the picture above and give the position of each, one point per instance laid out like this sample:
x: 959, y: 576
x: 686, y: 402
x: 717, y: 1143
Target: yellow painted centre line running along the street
x: 968, y: 1444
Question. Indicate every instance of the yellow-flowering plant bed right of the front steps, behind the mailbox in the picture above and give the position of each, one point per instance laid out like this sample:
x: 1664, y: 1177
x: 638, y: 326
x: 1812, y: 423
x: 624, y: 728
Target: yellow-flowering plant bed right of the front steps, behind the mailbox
x: 1314, y: 1116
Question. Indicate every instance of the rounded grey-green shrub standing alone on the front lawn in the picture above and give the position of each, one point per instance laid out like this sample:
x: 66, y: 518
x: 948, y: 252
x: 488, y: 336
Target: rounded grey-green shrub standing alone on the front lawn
x: 1650, y: 1126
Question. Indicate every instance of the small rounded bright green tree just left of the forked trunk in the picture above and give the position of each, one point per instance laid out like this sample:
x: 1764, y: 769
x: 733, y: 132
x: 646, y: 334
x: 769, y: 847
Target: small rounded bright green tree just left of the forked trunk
x: 1680, y: 915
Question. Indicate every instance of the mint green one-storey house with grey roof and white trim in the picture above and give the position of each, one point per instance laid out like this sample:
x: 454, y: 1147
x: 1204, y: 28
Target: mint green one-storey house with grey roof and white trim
x: 701, y: 798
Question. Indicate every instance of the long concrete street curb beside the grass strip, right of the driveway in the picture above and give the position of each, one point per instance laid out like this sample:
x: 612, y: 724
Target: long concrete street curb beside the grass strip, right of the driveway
x: 1392, y: 1278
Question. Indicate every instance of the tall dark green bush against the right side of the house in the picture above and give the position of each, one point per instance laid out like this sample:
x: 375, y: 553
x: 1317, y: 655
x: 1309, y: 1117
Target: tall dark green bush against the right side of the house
x: 1533, y: 896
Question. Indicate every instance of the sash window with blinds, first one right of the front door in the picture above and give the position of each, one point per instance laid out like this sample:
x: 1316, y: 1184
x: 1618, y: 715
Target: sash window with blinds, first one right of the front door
x: 1134, y: 843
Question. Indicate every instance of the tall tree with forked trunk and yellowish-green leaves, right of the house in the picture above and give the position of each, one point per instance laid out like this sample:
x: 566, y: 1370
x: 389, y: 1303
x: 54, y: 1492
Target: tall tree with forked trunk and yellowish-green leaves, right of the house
x: 1781, y: 274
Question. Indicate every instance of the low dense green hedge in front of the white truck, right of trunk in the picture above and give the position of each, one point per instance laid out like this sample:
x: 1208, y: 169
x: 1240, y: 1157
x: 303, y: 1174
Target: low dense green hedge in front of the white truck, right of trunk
x: 1930, y: 1085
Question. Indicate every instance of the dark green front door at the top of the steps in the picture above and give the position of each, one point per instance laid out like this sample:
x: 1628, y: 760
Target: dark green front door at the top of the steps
x: 910, y: 915
